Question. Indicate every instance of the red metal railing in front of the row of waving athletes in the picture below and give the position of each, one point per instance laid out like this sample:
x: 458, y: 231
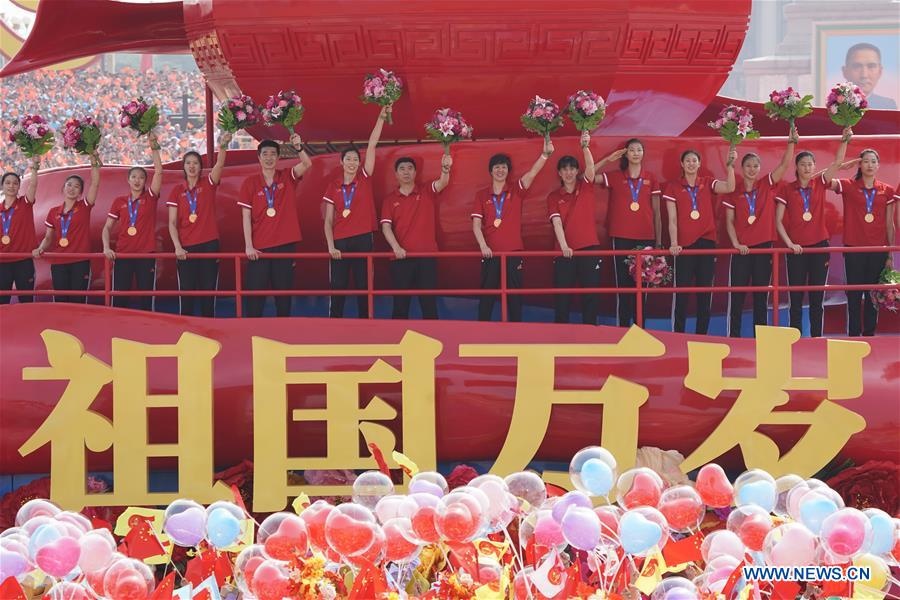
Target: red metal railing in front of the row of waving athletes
x: 775, y: 288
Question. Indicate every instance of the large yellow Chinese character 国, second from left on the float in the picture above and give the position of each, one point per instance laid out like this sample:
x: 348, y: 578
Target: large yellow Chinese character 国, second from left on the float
x: 343, y: 417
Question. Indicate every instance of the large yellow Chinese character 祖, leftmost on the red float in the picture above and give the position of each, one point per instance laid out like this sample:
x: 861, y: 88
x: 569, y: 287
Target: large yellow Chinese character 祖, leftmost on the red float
x: 72, y: 428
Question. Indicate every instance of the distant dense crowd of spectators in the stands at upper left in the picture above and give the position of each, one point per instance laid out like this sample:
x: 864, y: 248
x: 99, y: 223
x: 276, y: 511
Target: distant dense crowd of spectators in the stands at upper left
x: 59, y: 95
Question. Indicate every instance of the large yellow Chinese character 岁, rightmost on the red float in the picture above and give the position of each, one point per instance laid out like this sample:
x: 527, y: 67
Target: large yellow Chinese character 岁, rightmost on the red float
x: 830, y: 424
